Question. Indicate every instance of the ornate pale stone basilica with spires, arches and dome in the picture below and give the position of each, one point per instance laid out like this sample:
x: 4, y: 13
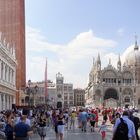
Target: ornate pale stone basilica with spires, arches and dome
x: 115, y: 87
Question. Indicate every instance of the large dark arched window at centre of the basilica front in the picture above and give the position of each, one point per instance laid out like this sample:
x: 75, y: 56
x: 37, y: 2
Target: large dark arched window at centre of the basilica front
x: 111, y: 93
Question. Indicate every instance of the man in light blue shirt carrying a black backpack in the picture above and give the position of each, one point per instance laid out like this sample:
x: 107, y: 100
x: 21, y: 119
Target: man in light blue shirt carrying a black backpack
x: 124, y: 128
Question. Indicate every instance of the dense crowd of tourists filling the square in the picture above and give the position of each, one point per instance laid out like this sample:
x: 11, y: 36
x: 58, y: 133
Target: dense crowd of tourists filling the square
x: 22, y: 124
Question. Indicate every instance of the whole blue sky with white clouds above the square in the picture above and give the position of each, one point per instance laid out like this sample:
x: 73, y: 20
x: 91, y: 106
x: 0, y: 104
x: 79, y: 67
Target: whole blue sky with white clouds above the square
x: 70, y: 32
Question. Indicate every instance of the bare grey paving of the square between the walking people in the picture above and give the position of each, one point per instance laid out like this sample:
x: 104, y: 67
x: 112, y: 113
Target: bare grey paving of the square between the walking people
x: 76, y: 134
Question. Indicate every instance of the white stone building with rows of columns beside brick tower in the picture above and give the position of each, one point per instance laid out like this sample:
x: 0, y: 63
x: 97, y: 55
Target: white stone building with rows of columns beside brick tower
x: 7, y: 75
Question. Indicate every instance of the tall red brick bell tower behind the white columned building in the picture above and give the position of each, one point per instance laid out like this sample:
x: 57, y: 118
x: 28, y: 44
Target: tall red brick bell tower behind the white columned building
x: 12, y: 26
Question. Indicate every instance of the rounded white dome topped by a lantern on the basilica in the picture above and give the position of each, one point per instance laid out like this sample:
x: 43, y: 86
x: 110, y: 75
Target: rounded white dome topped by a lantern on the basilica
x: 132, y: 55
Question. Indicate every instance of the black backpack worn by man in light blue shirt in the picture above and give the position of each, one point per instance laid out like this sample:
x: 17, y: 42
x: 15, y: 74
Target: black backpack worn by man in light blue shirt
x: 121, y: 131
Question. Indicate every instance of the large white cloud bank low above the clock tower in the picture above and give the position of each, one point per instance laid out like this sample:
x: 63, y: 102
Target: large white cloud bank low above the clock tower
x: 73, y: 60
